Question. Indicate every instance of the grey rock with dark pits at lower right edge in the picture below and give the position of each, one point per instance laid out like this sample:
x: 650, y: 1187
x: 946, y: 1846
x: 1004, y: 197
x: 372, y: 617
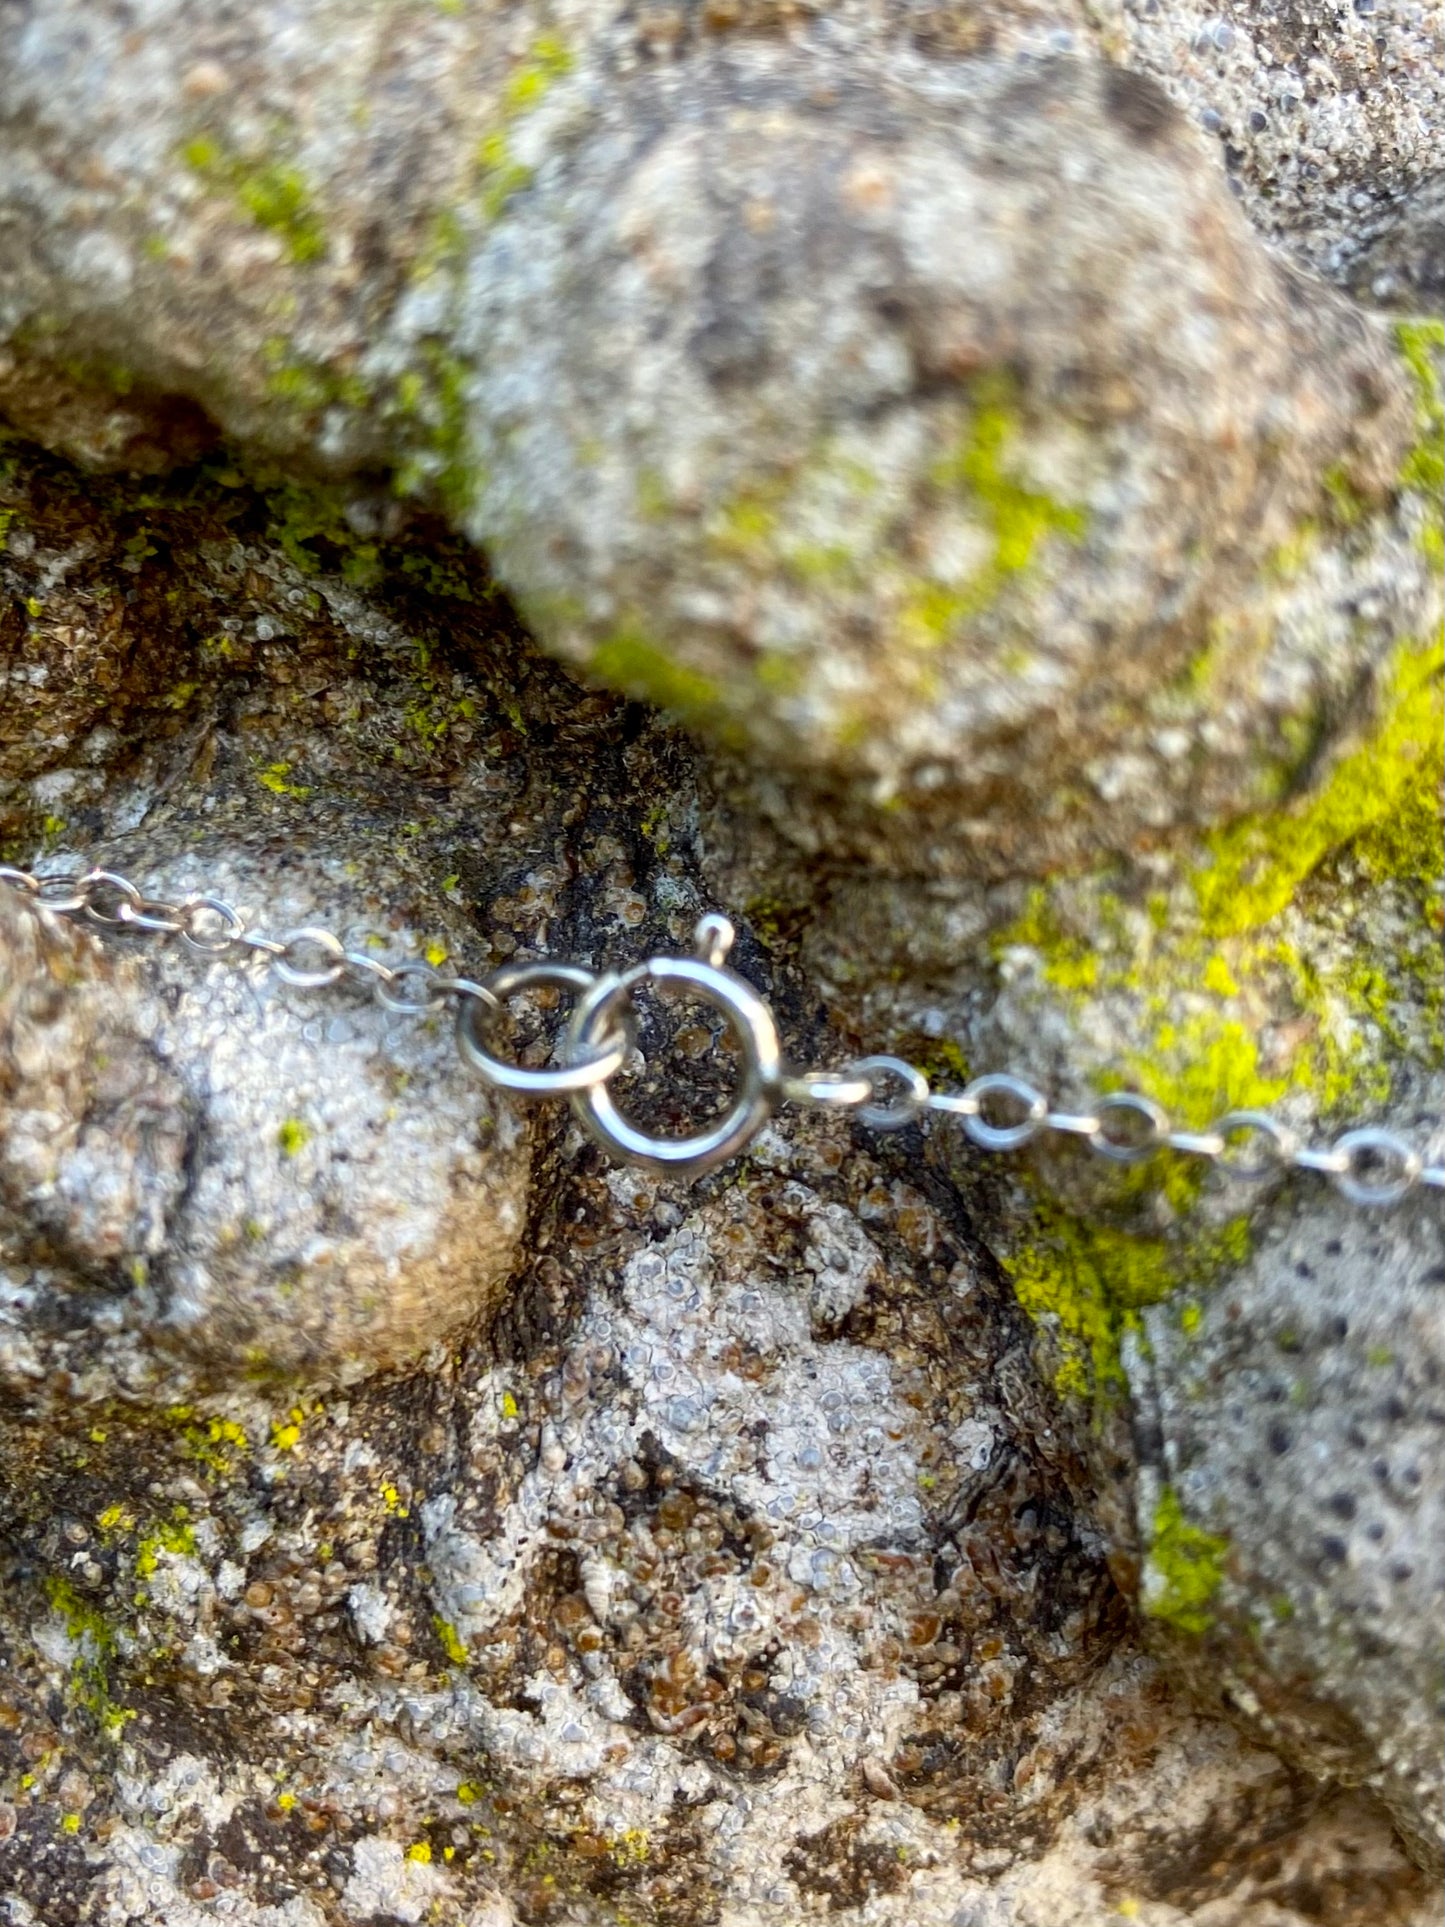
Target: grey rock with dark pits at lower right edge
x: 1290, y: 1485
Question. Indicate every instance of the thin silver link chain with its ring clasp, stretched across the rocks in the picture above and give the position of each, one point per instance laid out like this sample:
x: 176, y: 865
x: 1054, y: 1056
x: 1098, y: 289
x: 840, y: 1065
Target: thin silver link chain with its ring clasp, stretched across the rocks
x: 999, y: 1111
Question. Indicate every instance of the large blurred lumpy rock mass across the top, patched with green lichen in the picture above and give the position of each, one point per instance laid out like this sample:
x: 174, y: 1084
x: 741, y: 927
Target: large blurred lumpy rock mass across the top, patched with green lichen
x: 687, y: 340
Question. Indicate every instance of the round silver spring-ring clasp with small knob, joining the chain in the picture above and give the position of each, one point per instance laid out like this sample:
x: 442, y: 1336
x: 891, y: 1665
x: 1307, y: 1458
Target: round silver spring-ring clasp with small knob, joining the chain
x: 706, y: 976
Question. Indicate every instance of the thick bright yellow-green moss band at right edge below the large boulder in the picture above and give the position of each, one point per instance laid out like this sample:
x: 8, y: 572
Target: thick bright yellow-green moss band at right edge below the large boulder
x: 1257, y: 866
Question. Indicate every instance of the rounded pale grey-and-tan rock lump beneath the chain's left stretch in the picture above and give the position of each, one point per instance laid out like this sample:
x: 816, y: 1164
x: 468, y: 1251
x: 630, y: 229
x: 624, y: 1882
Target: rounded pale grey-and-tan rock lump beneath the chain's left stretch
x: 205, y: 1165
